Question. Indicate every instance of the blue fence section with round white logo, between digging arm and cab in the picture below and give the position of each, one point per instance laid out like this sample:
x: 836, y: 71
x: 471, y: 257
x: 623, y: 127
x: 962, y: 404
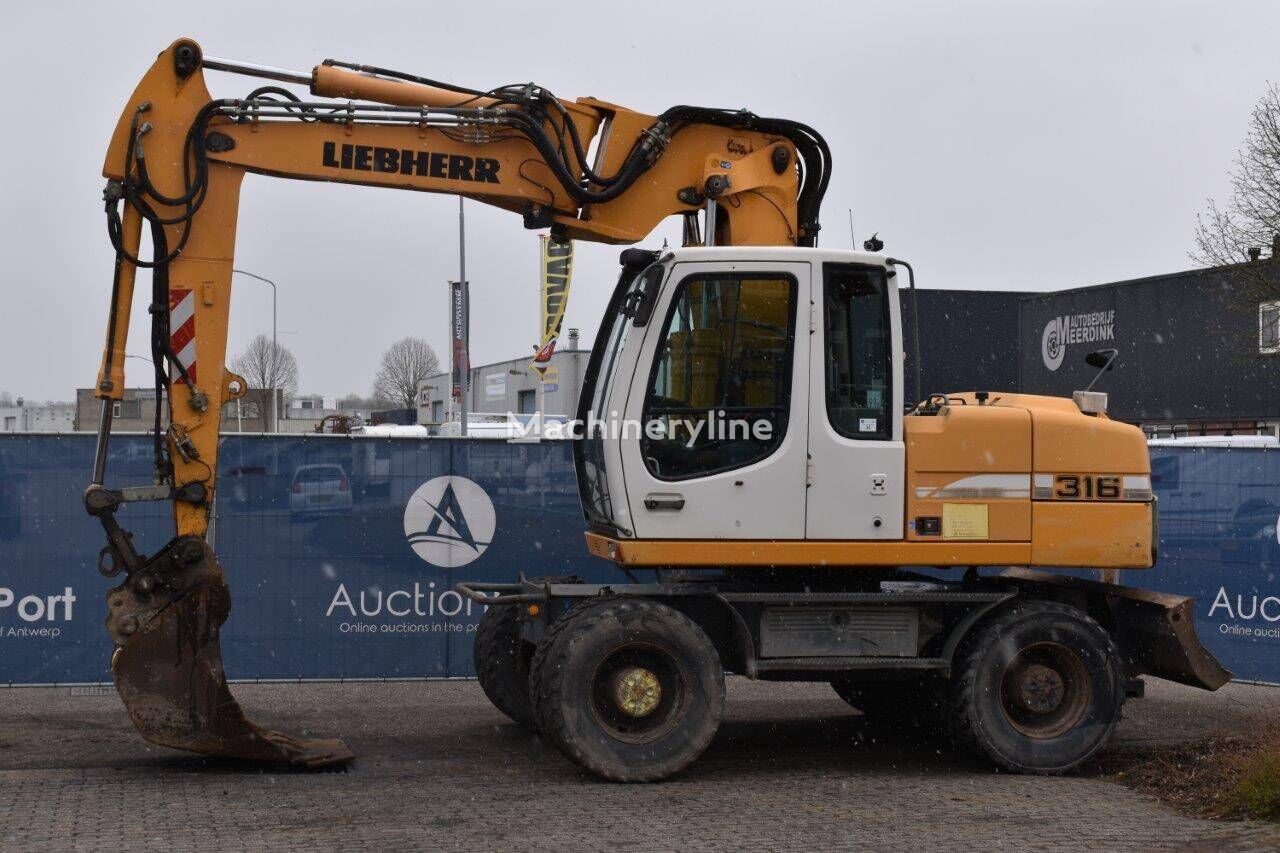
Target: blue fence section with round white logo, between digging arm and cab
x: 324, y: 578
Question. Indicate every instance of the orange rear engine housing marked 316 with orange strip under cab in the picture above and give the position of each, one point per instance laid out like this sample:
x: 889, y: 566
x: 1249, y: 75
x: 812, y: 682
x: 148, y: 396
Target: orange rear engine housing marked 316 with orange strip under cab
x: 1022, y: 481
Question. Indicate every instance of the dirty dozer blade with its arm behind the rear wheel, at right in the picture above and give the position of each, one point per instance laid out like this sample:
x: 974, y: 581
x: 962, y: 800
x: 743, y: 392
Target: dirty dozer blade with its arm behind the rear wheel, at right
x: 1156, y: 632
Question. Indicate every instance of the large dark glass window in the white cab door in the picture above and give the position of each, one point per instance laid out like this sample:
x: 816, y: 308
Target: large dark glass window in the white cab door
x: 721, y: 386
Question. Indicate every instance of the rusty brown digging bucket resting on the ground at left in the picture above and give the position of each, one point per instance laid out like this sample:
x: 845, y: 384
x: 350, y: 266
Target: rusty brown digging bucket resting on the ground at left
x: 168, y: 667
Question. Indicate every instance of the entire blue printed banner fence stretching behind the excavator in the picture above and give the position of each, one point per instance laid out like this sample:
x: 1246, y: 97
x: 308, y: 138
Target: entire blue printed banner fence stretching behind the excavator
x: 342, y: 553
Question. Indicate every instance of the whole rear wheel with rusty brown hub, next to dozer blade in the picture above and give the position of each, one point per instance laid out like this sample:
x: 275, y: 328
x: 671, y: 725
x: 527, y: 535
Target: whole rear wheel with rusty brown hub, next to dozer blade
x: 1037, y: 690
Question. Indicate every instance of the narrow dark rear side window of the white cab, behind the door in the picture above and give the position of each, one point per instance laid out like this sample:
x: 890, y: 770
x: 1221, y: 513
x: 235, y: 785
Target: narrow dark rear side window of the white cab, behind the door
x: 860, y: 353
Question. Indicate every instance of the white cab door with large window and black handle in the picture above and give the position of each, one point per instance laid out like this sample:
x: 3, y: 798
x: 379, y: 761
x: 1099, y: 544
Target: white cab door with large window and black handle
x: 714, y: 444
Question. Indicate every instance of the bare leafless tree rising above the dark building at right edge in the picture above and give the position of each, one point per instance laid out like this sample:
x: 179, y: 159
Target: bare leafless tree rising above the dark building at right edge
x: 1251, y: 218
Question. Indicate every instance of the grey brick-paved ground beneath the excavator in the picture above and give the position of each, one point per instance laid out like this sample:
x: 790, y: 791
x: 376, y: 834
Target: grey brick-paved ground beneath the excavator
x: 793, y: 768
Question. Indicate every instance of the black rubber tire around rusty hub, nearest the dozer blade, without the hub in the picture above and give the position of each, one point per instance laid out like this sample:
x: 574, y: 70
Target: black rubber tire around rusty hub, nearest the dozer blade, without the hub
x: 977, y: 722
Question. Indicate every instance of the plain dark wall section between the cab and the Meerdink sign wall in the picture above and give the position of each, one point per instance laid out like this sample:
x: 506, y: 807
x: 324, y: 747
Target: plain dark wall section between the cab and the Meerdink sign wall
x: 968, y: 341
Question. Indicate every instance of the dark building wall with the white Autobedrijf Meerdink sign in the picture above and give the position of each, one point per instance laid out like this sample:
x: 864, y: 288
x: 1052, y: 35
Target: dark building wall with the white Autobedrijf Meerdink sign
x: 1188, y: 346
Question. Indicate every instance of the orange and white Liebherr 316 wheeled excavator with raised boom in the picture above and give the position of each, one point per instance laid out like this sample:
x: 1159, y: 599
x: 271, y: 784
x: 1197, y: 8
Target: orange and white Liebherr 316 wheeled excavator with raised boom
x: 802, y: 513
